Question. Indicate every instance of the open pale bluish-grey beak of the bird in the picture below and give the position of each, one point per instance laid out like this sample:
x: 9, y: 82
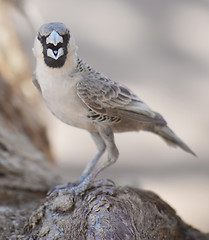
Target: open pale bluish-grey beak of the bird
x: 53, y: 50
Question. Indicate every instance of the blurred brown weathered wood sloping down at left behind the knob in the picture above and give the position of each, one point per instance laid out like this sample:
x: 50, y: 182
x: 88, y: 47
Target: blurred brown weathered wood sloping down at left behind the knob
x: 26, y: 171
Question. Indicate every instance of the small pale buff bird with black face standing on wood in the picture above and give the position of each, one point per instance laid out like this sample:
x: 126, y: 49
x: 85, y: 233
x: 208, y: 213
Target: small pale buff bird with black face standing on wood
x: 82, y: 97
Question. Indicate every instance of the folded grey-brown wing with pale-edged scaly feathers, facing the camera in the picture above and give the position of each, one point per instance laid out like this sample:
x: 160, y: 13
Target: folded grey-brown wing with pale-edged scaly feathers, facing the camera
x: 105, y: 96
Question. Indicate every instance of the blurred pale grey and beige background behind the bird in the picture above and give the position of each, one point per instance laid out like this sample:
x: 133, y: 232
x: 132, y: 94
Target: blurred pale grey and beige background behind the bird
x: 160, y: 50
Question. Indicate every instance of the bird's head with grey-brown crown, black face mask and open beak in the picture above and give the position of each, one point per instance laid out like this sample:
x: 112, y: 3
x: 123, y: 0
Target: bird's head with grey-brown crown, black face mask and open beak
x: 54, y: 44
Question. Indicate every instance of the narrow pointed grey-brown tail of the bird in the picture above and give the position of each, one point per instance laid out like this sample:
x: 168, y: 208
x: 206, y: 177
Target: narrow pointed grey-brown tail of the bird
x: 171, y: 139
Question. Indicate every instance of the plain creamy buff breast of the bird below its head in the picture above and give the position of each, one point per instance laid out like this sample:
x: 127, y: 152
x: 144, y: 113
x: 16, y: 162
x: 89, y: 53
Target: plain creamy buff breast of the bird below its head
x: 61, y: 98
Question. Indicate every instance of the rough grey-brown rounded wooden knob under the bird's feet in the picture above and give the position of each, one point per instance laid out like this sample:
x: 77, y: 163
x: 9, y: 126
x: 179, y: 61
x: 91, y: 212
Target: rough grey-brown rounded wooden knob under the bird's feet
x: 108, y: 212
